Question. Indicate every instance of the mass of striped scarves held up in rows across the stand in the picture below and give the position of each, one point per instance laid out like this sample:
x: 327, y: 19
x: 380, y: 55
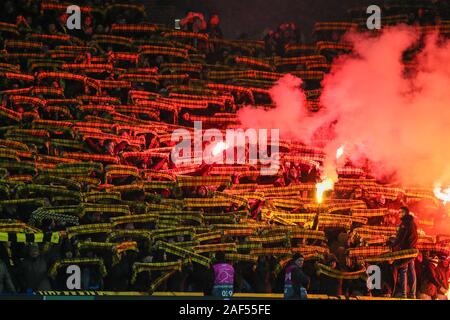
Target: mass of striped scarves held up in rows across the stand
x: 85, y: 143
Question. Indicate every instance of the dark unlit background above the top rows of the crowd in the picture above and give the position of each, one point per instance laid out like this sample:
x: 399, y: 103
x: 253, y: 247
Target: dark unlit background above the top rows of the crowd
x: 254, y: 17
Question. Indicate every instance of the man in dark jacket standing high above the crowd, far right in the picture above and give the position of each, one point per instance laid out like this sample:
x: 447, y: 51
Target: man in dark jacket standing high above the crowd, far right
x: 406, y: 238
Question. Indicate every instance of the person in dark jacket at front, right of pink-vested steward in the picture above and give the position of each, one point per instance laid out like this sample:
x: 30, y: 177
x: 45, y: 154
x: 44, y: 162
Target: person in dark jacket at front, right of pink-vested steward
x: 295, y: 280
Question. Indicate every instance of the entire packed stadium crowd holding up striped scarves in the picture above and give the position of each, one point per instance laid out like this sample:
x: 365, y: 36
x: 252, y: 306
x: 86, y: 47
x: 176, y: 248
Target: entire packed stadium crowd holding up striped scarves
x: 86, y: 118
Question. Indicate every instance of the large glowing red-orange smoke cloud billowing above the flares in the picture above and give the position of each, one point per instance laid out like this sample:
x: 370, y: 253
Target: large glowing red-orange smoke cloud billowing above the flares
x: 398, y: 120
